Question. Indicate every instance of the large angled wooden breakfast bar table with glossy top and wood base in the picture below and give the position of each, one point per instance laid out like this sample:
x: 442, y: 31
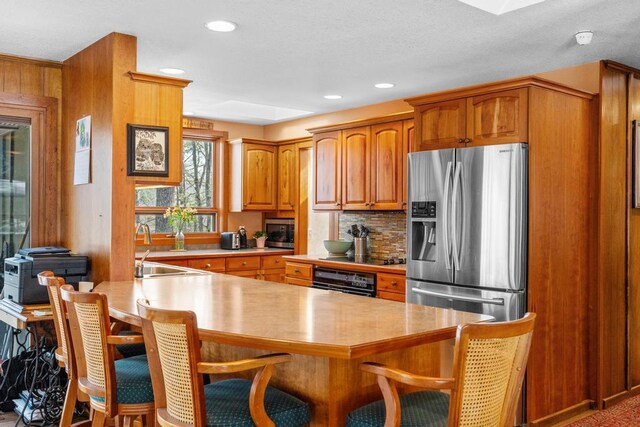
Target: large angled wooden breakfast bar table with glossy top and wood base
x: 328, y: 333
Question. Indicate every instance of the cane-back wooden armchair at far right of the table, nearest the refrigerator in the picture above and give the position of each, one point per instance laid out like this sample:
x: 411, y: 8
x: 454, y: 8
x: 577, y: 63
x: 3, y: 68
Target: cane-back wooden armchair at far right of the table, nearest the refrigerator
x: 488, y: 370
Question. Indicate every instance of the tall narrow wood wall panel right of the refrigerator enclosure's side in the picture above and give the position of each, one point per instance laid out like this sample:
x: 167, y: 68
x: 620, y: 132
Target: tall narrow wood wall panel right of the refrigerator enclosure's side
x: 612, y: 239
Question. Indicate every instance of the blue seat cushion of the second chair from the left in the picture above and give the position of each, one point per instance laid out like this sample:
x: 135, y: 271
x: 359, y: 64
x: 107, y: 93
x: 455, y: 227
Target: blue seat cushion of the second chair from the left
x: 133, y: 381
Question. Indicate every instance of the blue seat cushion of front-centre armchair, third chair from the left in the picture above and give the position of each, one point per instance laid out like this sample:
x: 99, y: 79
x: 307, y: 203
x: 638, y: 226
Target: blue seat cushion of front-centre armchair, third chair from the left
x: 228, y: 405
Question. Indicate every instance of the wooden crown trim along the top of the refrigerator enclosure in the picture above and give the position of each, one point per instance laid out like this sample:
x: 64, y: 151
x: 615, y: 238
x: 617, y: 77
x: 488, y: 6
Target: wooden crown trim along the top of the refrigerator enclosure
x: 500, y: 86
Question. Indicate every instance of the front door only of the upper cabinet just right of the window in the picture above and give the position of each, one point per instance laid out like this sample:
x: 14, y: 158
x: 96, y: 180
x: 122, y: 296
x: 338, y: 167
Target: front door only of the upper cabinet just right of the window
x: 259, y: 177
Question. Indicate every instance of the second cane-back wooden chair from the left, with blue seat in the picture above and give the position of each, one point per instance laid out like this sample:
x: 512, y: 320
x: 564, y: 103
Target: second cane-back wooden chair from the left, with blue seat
x: 116, y: 388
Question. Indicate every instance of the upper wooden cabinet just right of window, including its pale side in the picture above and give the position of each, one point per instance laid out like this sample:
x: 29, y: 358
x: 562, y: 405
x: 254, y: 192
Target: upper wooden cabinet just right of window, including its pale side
x: 253, y: 180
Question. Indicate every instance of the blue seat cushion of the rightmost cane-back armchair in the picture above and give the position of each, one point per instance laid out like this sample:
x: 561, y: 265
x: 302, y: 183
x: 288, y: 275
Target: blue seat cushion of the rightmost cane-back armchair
x: 420, y: 409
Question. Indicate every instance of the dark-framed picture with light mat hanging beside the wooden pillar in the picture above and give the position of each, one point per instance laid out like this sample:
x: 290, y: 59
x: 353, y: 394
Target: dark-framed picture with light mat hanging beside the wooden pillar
x: 147, y: 150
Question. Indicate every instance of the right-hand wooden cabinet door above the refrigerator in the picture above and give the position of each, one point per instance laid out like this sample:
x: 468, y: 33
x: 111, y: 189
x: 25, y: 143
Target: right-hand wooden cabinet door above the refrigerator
x: 497, y: 118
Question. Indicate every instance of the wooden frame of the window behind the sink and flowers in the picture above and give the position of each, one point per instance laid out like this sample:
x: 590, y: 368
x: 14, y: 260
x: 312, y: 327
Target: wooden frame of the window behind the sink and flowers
x: 217, y: 138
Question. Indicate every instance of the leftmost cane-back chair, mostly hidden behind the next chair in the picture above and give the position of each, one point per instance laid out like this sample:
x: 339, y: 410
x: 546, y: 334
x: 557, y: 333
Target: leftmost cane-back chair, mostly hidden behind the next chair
x: 64, y: 353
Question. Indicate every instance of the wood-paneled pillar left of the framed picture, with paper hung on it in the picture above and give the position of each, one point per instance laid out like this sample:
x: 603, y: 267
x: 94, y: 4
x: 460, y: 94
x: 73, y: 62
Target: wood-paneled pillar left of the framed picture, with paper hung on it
x: 98, y: 218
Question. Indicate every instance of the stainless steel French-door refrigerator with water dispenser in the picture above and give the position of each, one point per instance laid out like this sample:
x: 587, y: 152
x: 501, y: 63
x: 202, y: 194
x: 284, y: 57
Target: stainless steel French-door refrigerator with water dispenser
x: 467, y: 229
